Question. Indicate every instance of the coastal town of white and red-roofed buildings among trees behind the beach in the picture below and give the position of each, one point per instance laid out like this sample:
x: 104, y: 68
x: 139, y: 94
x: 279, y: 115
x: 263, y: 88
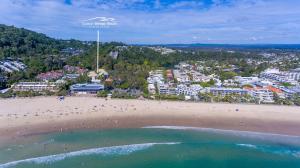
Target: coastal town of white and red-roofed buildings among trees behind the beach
x: 188, y: 81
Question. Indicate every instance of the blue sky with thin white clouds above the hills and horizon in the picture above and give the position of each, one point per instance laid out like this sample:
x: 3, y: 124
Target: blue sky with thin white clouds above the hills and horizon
x: 161, y: 21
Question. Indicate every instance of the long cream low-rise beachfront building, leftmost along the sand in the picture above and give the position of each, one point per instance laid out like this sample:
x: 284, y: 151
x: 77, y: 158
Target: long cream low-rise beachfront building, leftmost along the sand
x: 35, y: 86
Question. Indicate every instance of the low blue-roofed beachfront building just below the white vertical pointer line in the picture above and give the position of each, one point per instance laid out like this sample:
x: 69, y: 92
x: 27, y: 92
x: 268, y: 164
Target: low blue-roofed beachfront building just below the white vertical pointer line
x: 86, y: 88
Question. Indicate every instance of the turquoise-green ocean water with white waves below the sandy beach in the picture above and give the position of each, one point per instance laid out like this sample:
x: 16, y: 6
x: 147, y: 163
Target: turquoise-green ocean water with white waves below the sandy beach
x: 152, y: 147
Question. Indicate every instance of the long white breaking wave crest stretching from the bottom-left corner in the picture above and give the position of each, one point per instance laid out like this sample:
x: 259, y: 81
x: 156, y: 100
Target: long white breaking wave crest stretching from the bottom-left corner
x: 104, y: 151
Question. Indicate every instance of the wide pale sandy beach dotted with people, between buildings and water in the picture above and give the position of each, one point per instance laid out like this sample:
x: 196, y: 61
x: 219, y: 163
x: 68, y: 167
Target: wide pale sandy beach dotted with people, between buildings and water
x: 29, y: 116
